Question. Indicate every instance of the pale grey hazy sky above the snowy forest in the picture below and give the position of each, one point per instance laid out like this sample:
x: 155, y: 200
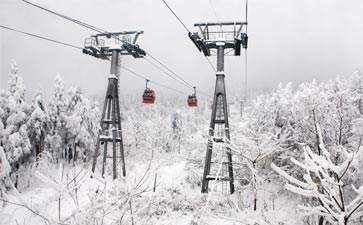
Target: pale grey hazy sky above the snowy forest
x: 296, y: 41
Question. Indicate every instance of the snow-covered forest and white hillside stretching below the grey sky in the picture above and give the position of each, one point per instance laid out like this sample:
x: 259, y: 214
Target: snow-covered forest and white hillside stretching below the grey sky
x: 297, y: 158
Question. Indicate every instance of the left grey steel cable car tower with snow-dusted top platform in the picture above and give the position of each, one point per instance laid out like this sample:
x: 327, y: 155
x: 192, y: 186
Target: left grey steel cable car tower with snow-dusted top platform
x: 120, y: 43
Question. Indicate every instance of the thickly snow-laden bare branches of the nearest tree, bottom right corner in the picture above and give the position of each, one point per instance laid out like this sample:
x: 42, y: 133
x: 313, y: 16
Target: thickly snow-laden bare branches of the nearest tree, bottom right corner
x: 325, y: 180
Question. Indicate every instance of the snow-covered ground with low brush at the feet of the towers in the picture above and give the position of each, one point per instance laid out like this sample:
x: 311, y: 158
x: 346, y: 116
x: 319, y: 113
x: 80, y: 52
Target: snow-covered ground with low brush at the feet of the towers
x: 177, y: 198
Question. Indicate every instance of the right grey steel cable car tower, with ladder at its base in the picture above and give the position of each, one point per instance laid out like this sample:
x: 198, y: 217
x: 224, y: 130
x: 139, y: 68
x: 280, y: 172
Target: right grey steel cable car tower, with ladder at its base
x: 215, y: 38
